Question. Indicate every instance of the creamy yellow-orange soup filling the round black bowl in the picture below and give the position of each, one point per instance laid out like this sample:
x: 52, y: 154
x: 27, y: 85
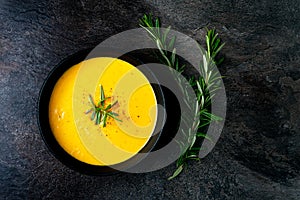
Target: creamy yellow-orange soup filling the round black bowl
x: 79, y: 135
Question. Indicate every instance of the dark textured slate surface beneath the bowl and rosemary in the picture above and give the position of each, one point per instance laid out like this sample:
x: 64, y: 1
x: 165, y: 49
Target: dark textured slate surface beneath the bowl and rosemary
x: 258, y: 155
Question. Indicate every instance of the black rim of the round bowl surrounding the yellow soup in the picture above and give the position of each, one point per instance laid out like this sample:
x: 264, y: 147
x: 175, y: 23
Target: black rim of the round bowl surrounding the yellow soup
x: 53, y: 145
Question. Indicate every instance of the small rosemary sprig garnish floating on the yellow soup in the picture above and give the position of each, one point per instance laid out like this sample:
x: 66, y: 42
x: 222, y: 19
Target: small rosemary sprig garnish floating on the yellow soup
x: 100, y: 111
